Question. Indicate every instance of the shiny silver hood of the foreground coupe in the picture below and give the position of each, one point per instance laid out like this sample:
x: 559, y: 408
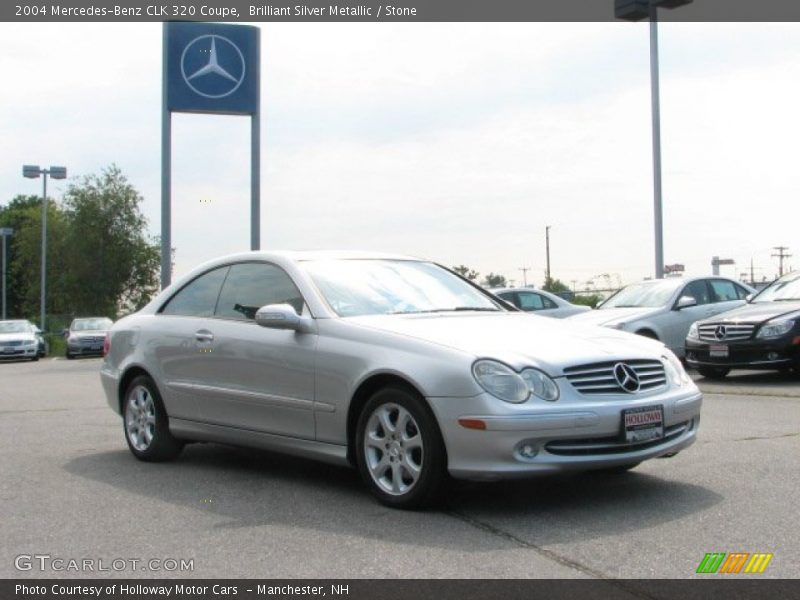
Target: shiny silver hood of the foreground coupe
x: 518, y: 339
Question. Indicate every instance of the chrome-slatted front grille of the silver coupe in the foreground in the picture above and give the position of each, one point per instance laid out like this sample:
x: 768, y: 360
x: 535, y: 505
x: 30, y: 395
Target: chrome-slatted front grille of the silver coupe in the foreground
x: 598, y: 378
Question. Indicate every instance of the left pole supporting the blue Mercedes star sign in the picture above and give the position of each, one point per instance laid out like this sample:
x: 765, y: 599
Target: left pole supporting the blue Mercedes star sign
x: 166, y: 172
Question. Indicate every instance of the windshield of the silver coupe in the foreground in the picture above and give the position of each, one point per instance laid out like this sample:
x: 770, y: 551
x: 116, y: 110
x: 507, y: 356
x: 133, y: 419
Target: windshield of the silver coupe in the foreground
x: 386, y: 287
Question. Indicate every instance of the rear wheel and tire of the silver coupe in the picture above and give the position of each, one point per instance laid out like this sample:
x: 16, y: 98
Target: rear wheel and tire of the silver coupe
x: 146, y: 424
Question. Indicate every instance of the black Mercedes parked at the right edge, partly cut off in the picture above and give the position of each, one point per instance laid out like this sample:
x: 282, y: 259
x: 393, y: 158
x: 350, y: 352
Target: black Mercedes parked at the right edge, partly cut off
x: 762, y: 334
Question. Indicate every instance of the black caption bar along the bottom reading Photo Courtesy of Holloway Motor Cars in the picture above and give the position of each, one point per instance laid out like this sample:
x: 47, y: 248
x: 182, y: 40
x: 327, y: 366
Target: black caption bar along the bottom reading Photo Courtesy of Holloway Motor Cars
x: 407, y: 589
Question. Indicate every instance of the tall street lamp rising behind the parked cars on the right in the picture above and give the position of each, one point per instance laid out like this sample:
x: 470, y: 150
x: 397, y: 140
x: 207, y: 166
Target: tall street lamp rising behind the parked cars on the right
x: 636, y: 10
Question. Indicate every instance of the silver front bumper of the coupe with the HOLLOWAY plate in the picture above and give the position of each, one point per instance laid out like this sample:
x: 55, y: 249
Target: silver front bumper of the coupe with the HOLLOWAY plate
x: 577, y: 433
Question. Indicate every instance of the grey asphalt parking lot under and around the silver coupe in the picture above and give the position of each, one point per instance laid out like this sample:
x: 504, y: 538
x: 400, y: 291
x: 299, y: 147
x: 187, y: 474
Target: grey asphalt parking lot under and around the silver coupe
x: 71, y: 489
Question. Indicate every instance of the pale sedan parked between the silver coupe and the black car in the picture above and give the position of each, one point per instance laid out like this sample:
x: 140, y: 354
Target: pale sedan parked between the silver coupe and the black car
x: 664, y: 309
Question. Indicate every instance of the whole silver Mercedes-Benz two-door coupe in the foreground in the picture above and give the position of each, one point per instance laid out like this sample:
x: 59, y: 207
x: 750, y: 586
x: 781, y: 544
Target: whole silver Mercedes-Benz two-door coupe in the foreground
x: 395, y: 365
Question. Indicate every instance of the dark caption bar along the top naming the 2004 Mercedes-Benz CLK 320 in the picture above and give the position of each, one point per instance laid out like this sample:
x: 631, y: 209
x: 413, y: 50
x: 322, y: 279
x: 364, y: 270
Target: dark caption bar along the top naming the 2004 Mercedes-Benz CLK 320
x: 235, y: 11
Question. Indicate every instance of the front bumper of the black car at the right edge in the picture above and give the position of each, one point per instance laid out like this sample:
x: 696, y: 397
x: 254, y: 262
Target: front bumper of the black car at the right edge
x: 749, y: 354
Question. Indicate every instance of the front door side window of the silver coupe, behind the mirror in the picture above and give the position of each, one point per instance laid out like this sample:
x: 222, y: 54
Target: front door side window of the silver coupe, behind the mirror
x: 250, y: 286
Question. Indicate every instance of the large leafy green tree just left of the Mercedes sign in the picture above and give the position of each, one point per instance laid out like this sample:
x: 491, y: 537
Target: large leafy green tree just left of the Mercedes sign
x: 113, y: 264
